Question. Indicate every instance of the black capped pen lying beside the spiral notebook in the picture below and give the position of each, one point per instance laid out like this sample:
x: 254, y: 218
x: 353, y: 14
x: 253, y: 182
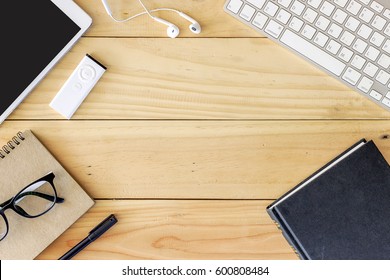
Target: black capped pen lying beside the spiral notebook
x: 92, y: 236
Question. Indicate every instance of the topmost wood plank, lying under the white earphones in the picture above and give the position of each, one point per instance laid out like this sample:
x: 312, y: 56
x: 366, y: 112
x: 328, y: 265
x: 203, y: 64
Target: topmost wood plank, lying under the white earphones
x: 209, y: 13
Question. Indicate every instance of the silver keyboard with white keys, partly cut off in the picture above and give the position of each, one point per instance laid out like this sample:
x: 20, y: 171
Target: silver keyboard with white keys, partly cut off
x: 349, y: 39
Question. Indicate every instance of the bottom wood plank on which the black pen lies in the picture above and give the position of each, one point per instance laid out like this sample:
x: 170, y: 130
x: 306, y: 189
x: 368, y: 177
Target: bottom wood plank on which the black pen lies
x: 177, y: 230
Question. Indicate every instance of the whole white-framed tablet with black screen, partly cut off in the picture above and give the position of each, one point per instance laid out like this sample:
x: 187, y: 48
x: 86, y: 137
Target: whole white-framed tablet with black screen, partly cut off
x: 36, y: 36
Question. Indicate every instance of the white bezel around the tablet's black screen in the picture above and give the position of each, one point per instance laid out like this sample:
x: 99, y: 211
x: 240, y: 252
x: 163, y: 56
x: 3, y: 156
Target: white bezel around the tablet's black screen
x: 83, y: 20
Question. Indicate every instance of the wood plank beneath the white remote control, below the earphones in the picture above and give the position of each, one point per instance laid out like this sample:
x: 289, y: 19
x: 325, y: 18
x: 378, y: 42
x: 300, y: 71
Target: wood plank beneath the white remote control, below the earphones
x: 200, y: 79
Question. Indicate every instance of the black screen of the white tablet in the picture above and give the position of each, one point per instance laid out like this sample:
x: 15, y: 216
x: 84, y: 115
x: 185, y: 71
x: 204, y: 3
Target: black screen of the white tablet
x: 33, y: 33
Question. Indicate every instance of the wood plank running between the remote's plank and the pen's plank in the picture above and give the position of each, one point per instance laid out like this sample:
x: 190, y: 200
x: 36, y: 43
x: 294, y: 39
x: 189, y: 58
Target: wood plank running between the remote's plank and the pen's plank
x: 195, y: 159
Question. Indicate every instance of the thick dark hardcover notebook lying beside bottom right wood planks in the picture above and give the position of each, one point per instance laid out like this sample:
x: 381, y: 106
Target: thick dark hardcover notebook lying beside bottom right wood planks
x: 342, y: 211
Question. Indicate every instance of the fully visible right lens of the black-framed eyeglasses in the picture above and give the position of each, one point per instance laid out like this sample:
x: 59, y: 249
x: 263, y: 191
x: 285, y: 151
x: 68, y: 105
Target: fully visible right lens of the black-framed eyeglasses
x: 36, y: 199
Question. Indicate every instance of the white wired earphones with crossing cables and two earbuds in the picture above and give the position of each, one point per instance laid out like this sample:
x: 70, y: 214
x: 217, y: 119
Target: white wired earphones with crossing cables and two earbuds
x: 172, y: 30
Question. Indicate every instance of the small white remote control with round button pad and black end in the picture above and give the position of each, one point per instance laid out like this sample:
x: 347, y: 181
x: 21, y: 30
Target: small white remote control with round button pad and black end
x: 78, y: 86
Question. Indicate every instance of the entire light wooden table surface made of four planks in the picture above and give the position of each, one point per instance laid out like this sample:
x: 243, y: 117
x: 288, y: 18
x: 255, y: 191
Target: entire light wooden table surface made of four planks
x: 187, y: 140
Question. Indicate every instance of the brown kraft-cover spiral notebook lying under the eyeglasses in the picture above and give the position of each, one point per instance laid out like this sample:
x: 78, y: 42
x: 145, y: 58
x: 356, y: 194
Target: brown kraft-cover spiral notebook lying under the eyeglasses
x: 23, y: 160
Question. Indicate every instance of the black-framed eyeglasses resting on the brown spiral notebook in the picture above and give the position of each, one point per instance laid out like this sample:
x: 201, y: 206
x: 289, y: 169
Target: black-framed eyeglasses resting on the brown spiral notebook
x: 31, y: 202
